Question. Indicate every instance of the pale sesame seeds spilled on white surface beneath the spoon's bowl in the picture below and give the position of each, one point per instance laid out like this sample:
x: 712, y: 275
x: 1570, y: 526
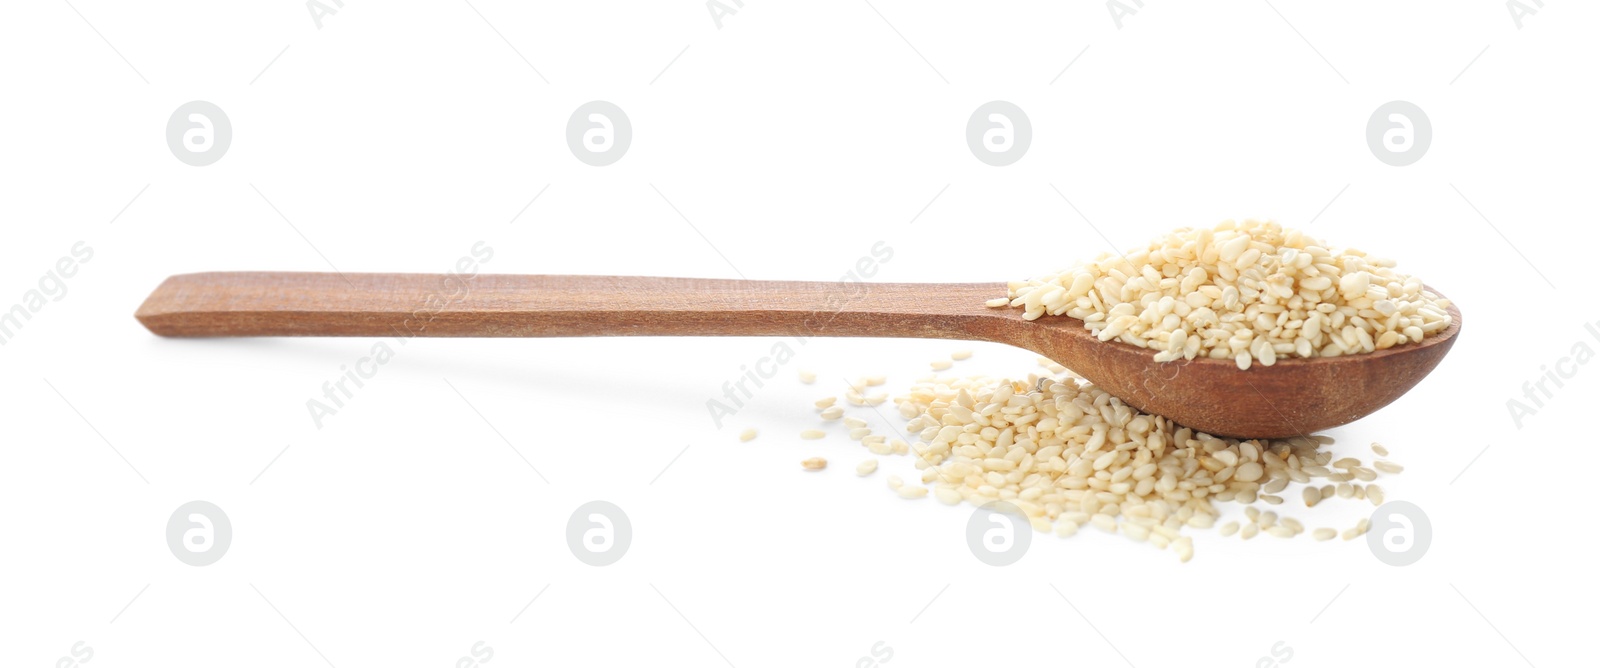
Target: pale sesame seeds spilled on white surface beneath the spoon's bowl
x: 1070, y: 455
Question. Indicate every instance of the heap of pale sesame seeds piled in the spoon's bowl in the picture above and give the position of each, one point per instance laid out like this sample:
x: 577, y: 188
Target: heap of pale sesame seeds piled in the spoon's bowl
x: 1250, y: 292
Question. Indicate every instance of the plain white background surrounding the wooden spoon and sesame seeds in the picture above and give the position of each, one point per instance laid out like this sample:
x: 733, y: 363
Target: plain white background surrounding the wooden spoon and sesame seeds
x: 793, y: 138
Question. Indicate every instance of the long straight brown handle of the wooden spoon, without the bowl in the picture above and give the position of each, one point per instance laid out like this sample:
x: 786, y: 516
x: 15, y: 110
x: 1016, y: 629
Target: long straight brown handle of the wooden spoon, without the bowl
x: 521, y: 306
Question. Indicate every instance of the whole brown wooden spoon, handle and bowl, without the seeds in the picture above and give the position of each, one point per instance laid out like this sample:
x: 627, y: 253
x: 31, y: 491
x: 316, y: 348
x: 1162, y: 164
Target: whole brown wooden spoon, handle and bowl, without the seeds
x: 1294, y: 397
